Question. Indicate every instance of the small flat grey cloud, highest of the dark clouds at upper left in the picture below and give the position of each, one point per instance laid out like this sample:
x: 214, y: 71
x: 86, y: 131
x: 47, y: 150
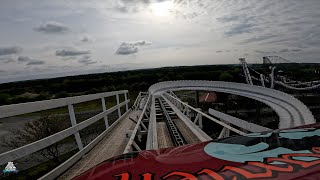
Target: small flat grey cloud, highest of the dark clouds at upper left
x: 52, y: 28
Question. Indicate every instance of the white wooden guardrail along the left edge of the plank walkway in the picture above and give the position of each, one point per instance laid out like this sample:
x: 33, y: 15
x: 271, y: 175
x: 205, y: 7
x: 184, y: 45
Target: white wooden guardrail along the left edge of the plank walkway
x: 18, y: 109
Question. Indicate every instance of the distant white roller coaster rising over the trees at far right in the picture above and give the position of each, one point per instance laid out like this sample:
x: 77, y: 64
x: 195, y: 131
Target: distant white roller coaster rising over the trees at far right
x: 278, y: 80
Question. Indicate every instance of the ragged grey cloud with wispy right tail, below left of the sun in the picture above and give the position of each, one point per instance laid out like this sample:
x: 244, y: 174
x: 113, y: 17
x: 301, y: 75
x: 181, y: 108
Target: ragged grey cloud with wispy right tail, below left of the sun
x: 127, y: 48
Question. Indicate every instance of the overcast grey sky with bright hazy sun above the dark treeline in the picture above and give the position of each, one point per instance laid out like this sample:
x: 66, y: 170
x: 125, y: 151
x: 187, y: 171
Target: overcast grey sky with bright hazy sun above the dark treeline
x: 45, y: 38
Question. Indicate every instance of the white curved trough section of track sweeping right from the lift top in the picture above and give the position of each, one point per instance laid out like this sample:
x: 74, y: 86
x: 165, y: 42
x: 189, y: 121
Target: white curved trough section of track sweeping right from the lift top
x: 290, y: 110
